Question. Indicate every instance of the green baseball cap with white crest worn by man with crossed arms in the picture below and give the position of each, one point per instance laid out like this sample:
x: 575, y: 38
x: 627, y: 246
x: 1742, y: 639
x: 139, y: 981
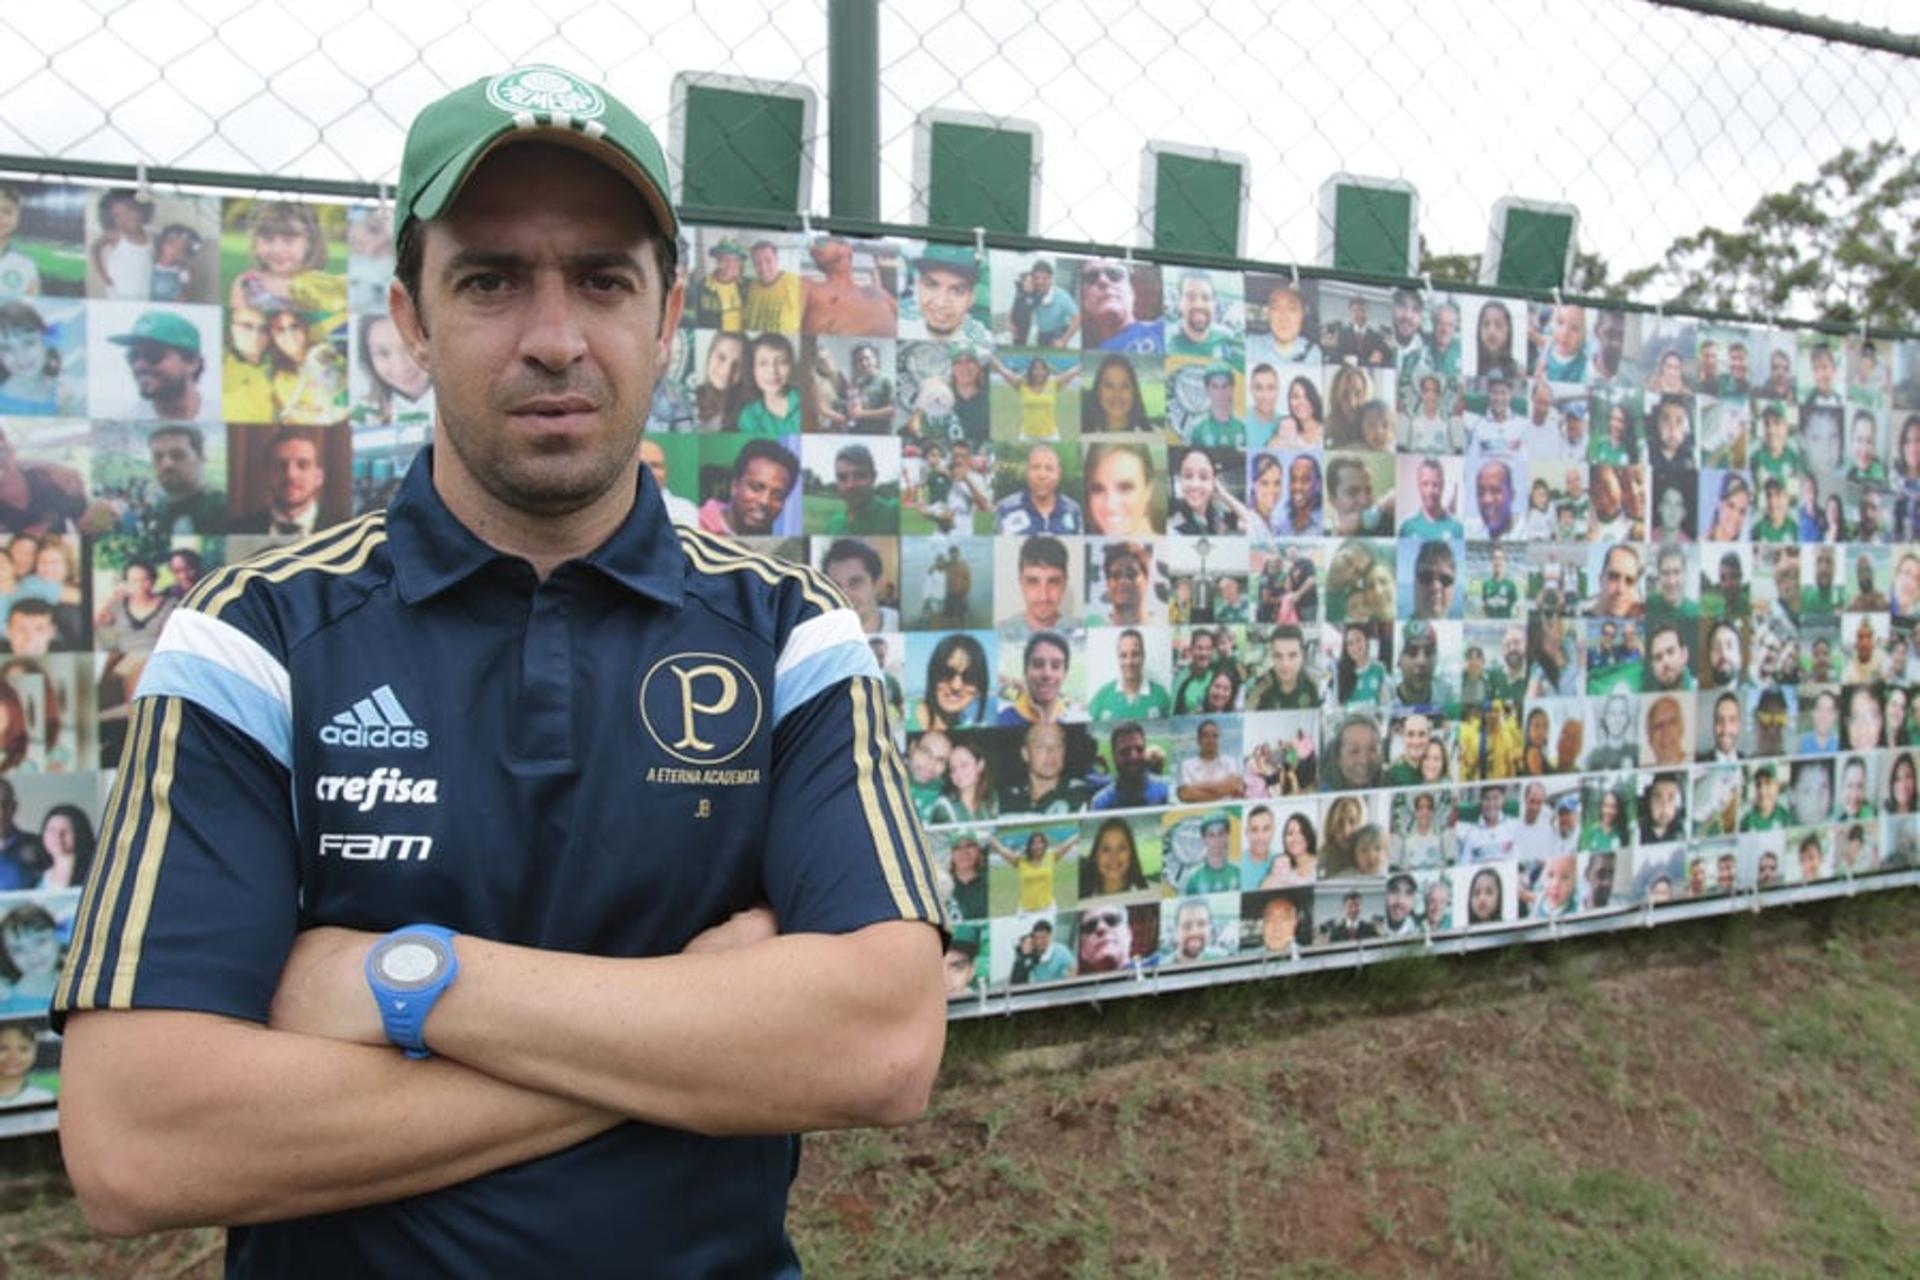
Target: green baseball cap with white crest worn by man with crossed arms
x: 533, y: 103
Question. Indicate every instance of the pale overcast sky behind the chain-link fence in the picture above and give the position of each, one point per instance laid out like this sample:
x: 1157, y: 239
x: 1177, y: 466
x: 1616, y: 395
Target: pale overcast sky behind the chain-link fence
x: 1650, y: 122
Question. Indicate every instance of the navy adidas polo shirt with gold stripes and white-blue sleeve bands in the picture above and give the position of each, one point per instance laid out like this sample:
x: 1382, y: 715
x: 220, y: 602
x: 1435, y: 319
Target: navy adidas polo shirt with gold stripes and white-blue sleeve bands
x: 391, y: 723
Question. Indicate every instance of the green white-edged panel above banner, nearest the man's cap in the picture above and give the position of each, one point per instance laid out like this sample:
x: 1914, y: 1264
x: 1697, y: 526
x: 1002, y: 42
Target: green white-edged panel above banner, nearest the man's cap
x: 744, y: 151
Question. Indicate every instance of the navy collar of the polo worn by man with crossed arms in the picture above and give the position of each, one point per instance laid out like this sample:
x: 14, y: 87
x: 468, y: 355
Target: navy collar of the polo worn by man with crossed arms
x: 435, y: 552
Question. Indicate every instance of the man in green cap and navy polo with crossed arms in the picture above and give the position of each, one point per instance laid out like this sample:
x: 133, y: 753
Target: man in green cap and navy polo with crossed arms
x: 427, y: 932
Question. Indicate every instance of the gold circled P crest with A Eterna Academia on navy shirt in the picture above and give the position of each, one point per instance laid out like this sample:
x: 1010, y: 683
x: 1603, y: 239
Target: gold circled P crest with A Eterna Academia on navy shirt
x: 702, y: 709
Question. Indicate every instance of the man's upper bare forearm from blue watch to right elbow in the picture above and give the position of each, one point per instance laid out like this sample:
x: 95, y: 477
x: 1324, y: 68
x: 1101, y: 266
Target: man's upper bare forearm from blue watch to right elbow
x: 802, y: 1031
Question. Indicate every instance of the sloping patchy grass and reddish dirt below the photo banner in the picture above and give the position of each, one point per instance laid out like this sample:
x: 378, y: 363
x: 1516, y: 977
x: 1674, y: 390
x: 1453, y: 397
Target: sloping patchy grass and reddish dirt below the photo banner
x: 1739, y: 1099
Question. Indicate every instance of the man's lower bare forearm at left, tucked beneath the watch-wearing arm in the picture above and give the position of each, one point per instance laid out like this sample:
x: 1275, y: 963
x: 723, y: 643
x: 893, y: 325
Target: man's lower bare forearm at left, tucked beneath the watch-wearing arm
x: 185, y: 1120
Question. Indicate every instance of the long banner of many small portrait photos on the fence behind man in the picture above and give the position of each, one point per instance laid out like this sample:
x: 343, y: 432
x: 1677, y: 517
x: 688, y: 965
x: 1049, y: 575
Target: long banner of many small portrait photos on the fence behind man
x: 1224, y: 613
